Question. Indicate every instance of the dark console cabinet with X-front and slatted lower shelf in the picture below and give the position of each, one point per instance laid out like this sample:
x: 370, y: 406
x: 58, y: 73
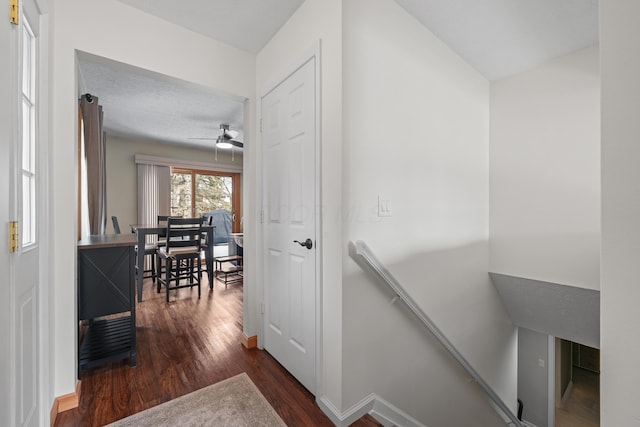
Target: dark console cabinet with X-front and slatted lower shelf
x: 106, y: 300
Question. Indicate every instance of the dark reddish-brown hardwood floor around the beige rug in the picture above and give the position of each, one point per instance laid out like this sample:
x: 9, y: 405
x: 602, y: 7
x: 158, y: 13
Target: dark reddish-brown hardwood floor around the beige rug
x: 183, y: 346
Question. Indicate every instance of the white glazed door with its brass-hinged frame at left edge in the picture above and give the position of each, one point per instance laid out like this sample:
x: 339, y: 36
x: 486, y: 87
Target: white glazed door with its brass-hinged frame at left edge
x: 20, y: 166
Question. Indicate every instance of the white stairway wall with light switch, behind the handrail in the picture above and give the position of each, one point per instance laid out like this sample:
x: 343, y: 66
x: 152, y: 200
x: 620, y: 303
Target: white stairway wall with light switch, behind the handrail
x: 416, y: 128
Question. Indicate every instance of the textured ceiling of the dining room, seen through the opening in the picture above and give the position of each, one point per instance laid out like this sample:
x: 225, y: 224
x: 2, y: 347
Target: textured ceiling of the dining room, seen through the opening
x: 143, y: 105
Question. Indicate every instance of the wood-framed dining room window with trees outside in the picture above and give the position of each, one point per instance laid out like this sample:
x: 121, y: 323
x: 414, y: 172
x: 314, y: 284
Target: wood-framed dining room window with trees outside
x: 195, y: 192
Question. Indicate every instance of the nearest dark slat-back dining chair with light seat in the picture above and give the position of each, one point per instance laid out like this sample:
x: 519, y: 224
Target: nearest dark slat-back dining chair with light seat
x: 181, y: 255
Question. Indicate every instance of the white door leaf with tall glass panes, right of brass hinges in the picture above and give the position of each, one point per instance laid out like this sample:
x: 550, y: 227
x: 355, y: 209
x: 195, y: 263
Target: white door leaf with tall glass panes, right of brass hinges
x: 24, y: 175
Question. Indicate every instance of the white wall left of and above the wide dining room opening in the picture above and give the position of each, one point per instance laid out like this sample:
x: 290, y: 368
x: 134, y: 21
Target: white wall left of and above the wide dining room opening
x: 111, y: 29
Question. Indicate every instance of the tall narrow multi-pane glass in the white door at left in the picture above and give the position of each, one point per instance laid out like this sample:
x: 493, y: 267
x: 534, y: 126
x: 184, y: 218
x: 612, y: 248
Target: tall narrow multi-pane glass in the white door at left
x: 28, y: 142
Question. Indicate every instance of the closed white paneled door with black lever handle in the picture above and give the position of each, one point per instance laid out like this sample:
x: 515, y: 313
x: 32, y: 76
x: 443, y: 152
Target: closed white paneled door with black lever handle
x: 289, y: 165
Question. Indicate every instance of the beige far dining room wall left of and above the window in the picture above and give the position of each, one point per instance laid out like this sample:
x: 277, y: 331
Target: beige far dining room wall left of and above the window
x: 122, y: 172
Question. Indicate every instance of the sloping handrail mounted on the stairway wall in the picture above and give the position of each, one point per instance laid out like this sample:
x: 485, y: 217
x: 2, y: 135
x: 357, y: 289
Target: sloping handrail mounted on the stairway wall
x: 363, y: 251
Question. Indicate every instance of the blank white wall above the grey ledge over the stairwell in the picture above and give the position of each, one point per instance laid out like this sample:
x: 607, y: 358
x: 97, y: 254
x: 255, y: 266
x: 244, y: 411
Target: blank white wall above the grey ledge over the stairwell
x: 545, y: 171
